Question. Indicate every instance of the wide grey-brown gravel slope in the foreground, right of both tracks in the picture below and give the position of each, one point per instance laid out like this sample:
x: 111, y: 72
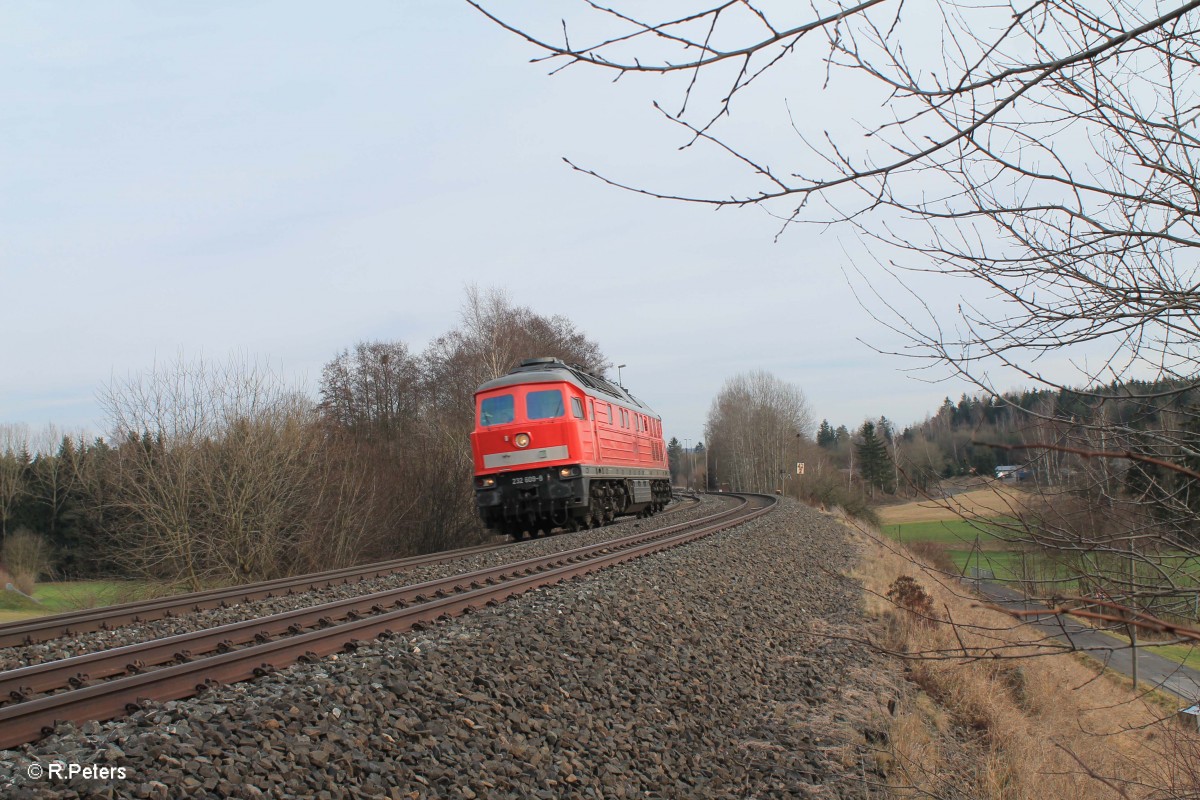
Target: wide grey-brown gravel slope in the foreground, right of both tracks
x: 715, y: 671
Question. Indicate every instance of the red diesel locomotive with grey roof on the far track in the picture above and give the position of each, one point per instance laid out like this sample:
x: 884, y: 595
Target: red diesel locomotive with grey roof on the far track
x: 556, y: 447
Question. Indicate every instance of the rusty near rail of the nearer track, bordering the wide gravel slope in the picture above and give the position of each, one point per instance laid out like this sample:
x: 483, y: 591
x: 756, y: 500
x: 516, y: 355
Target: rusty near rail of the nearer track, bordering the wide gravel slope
x: 27, y: 721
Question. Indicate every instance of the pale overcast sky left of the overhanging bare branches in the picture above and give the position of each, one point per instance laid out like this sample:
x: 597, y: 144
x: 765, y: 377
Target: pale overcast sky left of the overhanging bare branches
x: 283, y: 181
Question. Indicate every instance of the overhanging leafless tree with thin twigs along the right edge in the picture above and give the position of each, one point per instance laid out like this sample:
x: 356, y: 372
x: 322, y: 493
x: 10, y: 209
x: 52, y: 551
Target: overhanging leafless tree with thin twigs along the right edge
x: 1046, y: 153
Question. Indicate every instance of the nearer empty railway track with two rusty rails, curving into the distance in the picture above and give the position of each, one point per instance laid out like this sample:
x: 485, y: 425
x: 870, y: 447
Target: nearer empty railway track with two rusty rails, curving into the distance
x: 190, y: 664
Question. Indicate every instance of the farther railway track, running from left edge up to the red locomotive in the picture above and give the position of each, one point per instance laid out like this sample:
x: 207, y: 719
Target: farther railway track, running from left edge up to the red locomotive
x: 107, y: 618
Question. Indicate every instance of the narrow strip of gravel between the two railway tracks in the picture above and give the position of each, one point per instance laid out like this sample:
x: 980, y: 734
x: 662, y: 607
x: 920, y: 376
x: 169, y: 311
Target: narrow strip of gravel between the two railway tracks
x: 97, y: 641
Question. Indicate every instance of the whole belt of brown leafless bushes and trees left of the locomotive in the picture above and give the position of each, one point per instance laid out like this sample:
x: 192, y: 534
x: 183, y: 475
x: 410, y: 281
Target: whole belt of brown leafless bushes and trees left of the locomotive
x: 221, y: 473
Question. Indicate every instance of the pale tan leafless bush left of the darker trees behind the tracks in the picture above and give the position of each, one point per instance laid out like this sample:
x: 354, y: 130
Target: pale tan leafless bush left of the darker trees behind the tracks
x: 223, y: 474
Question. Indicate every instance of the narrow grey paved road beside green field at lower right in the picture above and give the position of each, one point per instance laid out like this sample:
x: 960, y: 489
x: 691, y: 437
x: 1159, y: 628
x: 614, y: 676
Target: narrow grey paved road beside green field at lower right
x: 1153, y: 669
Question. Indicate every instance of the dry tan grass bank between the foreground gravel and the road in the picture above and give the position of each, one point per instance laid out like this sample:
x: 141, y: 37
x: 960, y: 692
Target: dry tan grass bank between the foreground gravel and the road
x: 1015, y: 729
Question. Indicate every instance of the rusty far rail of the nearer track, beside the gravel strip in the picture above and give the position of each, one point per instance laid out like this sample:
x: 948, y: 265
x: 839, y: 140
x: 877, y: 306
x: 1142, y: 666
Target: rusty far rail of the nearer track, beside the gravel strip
x: 23, y: 683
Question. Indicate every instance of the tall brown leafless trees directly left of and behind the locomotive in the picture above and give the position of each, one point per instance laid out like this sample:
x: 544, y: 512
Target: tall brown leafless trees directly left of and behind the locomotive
x: 410, y: 417
